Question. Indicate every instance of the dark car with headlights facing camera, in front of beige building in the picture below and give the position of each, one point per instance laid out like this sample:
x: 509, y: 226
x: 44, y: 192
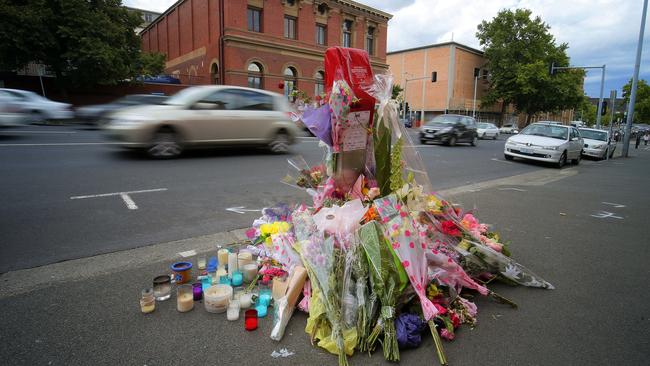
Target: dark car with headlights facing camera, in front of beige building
x: 449, y: 129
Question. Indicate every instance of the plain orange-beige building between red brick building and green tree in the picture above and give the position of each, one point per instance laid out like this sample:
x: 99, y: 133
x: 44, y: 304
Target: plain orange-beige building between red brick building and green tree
x: 455, y: 66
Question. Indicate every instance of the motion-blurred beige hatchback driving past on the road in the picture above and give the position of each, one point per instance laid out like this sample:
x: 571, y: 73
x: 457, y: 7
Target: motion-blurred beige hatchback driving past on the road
x: 207, y: 116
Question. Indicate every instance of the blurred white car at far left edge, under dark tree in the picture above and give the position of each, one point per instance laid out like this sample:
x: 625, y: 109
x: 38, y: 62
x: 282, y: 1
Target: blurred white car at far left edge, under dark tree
x: 37, y: 107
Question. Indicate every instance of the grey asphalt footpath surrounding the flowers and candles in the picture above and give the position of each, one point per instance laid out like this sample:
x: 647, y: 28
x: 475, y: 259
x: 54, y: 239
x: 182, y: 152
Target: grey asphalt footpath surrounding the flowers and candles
x: 585, y: 232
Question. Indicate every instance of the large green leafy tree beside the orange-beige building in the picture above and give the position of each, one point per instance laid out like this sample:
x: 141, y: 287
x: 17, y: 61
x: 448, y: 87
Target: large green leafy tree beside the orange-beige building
x: 519, y: 51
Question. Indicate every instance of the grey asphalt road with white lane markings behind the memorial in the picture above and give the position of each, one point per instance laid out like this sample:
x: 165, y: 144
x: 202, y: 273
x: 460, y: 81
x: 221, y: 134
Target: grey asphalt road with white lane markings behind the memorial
x: 61, y: 188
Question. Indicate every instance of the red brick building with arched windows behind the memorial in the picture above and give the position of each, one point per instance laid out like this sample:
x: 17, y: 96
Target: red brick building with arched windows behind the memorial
x: 275, y: 45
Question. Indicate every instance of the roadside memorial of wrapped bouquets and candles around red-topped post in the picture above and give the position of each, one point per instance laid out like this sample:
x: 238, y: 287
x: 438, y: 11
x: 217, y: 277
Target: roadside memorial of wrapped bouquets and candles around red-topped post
x: 376, y: 257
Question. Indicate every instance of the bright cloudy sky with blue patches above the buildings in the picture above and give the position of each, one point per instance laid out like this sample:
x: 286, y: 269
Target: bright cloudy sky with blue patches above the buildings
x: 598, y: 31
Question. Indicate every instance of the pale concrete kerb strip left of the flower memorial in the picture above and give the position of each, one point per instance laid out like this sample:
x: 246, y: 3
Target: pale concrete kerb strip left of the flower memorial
x: 27, y: 280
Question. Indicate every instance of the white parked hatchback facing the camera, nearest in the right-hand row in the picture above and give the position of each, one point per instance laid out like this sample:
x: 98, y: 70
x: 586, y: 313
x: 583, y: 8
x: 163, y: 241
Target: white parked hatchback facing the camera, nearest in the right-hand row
x: 546, y: 142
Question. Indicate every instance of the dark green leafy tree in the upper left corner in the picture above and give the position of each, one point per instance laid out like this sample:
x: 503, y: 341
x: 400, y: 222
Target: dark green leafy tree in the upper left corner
x: 82, y: 42
